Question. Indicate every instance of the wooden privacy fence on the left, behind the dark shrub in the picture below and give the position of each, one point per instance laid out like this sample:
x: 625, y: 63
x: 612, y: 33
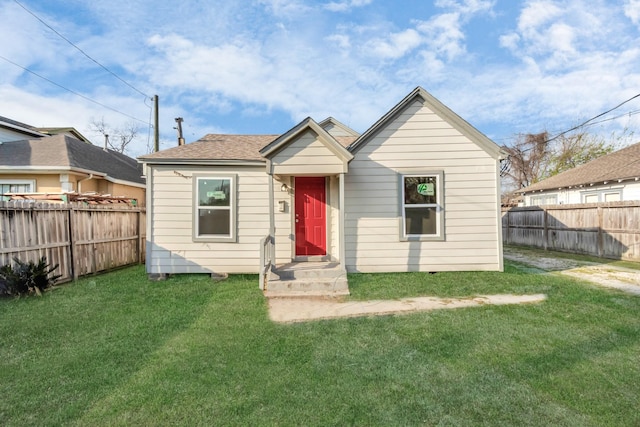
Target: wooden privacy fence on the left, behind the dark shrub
x: 82, y: 239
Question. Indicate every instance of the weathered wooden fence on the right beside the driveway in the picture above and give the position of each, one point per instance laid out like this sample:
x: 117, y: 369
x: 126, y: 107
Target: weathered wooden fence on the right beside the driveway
x: 607, y: 230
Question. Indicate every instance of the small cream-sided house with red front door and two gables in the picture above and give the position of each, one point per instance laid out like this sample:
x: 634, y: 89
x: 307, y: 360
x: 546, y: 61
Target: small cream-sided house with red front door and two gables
x: 418, y: 191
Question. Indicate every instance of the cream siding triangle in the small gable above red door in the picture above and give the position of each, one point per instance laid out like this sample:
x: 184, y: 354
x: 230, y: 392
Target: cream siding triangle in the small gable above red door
x: 306, y: 155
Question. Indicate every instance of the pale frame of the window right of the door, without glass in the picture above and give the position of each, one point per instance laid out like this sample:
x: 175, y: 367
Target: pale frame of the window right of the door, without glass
x: 439, y: 236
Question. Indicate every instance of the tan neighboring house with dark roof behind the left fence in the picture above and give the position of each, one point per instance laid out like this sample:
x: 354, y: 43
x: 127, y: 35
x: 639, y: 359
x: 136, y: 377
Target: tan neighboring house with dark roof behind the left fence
x: 62, y: 164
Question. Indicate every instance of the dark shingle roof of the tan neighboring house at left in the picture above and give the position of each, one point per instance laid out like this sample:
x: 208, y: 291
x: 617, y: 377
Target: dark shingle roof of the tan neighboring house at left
x: 61, y: 152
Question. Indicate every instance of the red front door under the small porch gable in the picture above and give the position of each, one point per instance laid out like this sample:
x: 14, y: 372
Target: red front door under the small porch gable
x: 310, y: 216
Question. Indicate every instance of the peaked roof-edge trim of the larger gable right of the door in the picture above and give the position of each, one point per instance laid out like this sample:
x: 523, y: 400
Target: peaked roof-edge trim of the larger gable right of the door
x: 438, y: 108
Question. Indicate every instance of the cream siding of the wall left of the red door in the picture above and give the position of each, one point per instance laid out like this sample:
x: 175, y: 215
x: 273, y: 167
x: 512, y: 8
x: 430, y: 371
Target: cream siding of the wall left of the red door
x: 172, y: 249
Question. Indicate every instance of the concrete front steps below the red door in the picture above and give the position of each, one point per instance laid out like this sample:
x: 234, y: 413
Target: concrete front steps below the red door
x: 307, y: 279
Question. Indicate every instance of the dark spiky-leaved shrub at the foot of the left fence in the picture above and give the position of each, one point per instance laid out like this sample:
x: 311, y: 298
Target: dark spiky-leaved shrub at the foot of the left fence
x: 26, y: 278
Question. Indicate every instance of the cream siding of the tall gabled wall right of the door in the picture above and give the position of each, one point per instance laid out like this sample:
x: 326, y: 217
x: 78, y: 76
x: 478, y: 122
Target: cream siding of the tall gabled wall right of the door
x: 419, y: 140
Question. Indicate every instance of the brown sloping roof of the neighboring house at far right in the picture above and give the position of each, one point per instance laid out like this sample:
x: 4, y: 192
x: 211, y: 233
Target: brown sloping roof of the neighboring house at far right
x: 618, y: 166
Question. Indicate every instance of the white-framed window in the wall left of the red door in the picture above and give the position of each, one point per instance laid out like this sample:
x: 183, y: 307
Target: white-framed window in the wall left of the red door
x: 214, y: 216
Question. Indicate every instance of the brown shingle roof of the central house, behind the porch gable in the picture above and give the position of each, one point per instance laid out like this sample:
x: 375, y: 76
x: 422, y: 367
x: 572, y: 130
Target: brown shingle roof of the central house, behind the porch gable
x: 214, y: 147
